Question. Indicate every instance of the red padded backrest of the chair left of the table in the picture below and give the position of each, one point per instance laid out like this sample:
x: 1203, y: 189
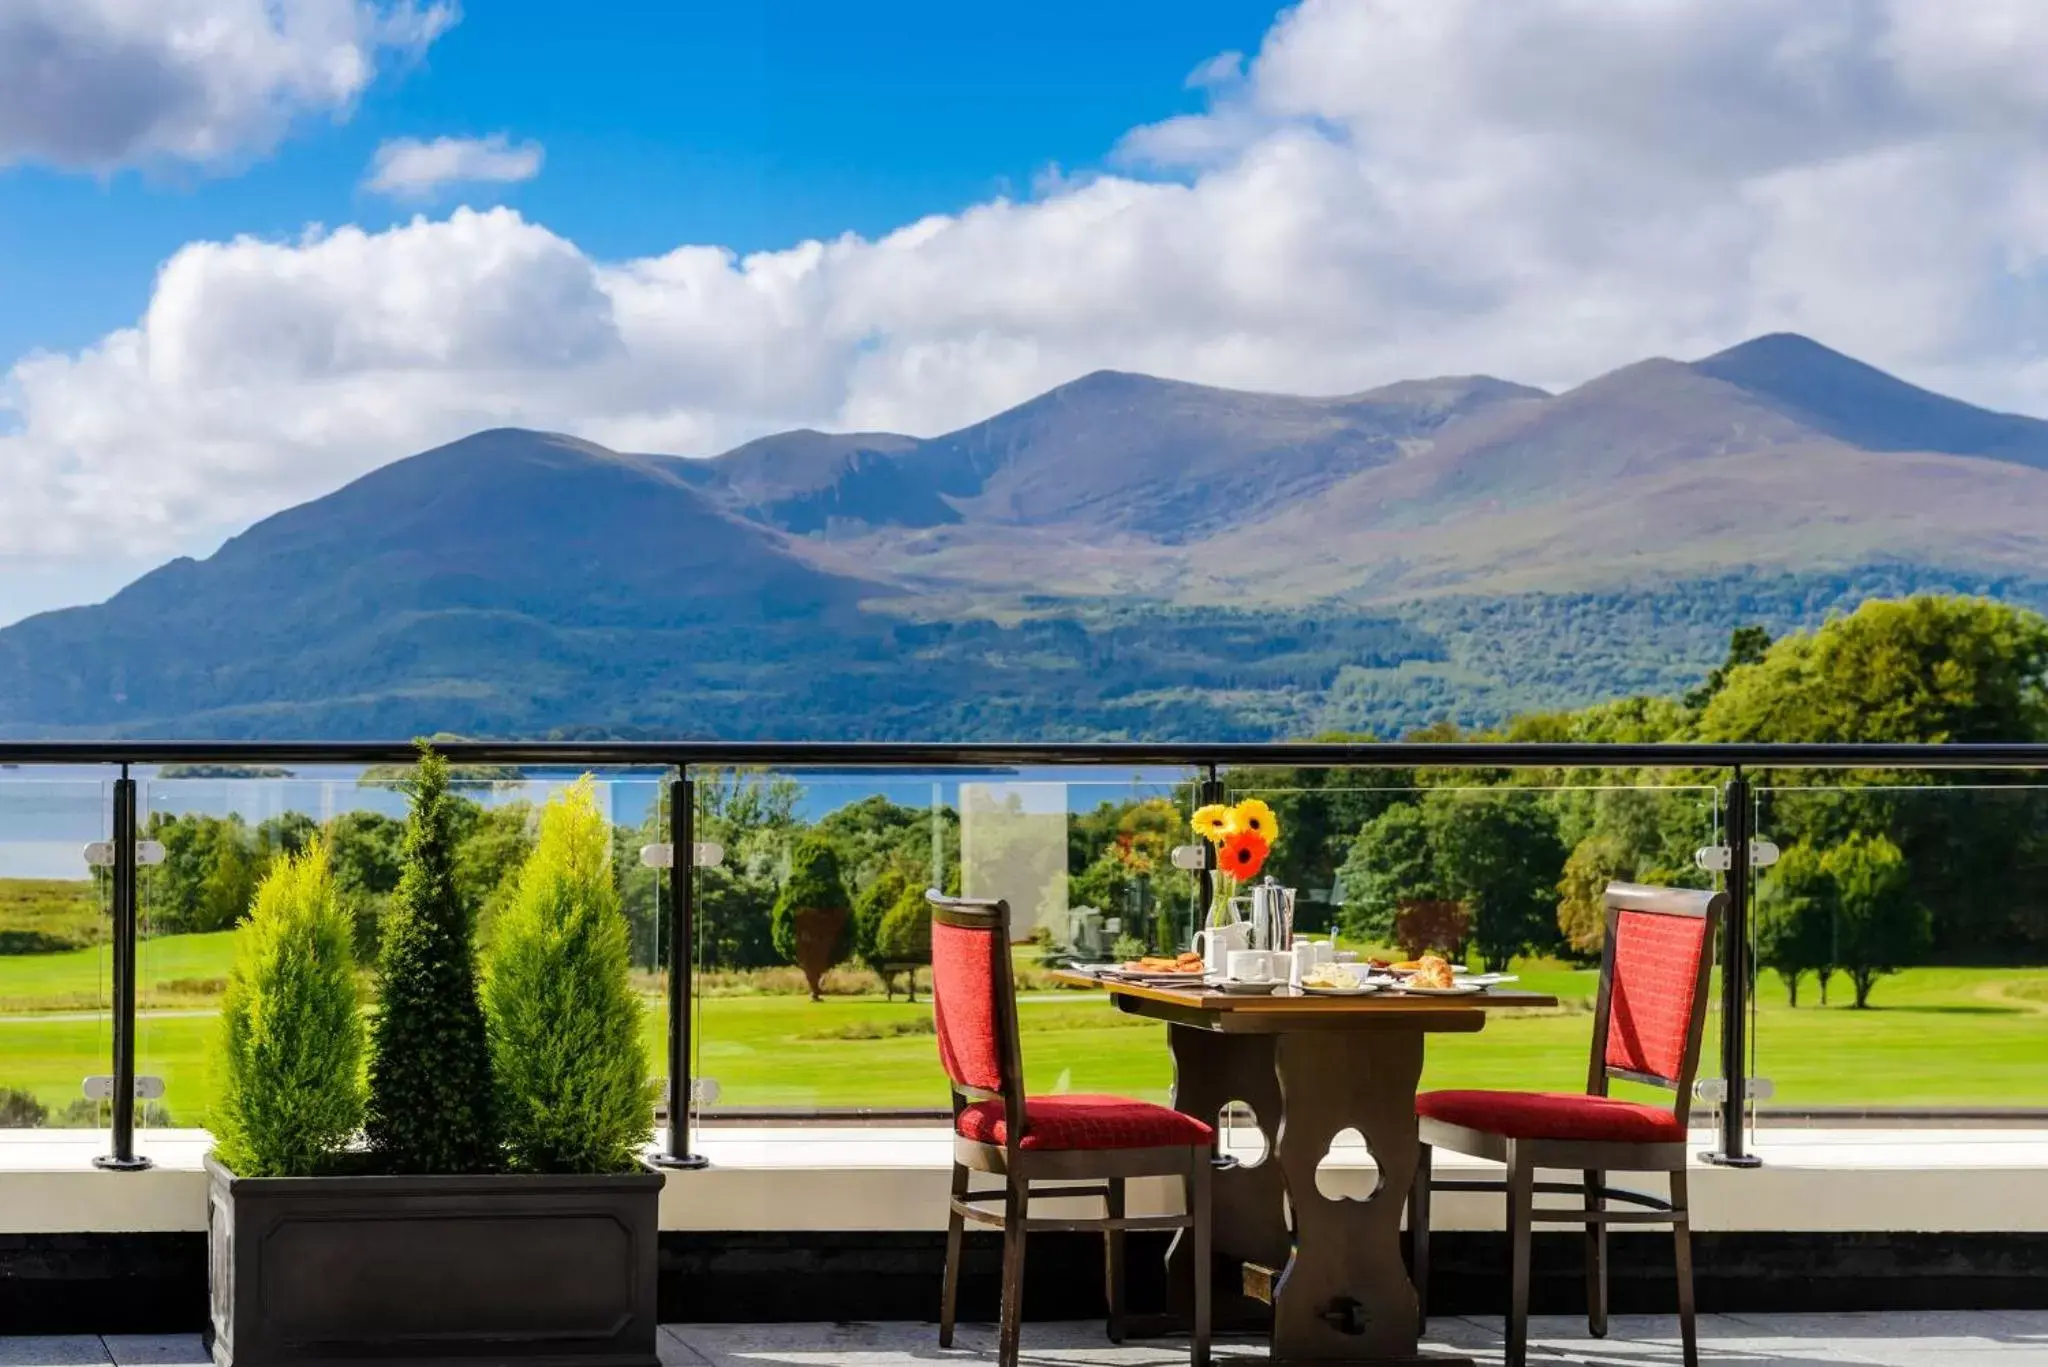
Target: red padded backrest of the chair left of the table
x: 974, y: 1001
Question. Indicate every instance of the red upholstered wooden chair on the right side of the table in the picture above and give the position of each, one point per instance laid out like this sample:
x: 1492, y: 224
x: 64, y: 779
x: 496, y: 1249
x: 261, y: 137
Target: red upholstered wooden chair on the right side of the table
x: 1654, y: 987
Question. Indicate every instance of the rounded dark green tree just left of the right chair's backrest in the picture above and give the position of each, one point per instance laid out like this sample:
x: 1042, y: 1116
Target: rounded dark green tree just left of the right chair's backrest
x: 1502, y: 858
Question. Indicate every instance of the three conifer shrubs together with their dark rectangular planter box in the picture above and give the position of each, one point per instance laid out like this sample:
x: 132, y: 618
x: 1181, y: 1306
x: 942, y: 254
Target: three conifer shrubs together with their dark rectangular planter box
x: 480, y: 1200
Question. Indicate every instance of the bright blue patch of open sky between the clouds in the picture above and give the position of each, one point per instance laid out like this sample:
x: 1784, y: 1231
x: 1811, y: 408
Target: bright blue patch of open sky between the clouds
x: 751, y: 126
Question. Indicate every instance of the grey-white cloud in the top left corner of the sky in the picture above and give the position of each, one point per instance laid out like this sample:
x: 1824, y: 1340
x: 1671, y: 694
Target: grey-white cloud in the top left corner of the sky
x: 97, y: 85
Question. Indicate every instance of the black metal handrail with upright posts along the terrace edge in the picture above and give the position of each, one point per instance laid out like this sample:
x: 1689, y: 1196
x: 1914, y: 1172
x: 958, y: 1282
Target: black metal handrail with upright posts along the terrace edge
x: 683, y: 757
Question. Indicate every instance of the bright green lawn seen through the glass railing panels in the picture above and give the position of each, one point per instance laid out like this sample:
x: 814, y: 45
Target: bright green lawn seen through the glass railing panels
x: 1934, y: 1038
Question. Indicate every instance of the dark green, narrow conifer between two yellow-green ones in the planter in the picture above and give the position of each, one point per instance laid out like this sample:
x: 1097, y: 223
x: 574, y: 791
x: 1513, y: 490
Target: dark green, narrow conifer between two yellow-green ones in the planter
x: 431, y: 1104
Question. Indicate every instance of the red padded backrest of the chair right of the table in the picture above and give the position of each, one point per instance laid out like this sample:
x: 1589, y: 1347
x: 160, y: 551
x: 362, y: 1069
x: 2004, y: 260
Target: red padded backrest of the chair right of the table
x: 1654, y: 987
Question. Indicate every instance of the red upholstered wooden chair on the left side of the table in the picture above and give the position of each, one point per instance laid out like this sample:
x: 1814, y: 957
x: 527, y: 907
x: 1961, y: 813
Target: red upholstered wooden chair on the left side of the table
x: 1091, y: 1147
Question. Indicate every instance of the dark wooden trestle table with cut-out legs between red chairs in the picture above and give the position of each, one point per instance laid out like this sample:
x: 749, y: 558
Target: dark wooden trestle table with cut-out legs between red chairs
x: 1310, y: 1069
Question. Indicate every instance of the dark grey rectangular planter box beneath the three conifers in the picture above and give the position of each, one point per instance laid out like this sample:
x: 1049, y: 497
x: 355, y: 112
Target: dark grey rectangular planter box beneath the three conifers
x: 415, y: 1272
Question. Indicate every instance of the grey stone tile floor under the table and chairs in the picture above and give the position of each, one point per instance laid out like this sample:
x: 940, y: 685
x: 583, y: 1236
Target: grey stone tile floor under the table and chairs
x: 1973, y: 1339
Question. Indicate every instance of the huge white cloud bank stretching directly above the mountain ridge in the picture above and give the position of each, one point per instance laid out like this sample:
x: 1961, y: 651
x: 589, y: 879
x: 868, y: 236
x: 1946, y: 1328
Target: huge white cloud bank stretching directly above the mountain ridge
x: 1394, y: 188
